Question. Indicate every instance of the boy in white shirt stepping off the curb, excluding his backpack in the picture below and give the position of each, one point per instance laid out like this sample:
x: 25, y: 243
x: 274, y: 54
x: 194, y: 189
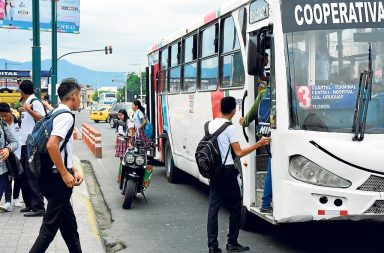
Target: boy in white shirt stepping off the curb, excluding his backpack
x: 57, y: 186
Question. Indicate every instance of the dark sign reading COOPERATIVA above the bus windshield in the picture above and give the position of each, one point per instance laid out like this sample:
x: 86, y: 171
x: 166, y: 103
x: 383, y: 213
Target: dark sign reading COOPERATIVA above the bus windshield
x: 298, y: 15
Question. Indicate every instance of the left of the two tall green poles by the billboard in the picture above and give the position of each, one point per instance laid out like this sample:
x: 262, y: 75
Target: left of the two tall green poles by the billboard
x: 36, y: 49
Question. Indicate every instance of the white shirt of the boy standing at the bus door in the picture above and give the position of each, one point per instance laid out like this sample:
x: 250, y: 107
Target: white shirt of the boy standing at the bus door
x: 225, y: 139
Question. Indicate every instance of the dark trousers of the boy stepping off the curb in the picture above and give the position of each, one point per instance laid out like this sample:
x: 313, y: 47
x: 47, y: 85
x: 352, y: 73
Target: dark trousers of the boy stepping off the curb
x: 59, y: 215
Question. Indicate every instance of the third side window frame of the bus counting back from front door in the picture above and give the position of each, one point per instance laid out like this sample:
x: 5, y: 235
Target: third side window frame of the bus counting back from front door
x: 183, y: 63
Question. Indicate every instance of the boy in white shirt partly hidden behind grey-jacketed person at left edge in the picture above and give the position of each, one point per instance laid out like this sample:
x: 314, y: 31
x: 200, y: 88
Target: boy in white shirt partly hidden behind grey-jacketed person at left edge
x: 14, y: 127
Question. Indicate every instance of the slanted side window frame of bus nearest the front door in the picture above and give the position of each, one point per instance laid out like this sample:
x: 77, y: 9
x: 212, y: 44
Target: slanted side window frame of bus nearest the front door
x: 222, y: 55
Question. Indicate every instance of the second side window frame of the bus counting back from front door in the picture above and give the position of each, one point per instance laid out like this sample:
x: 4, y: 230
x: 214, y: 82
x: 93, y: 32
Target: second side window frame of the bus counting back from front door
x: 217, y: 54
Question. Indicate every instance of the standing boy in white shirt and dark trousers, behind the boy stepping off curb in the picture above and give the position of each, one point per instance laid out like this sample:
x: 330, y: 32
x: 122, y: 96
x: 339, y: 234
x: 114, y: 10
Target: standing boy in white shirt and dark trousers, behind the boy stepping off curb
x: 31, y: 111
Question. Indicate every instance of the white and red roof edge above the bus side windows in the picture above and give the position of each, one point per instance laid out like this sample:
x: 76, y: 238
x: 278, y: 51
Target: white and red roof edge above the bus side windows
x: 228, y: 7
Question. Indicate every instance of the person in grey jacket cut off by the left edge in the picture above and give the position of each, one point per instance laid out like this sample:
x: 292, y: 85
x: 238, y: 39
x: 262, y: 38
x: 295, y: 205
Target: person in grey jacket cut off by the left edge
x: 8, y: 144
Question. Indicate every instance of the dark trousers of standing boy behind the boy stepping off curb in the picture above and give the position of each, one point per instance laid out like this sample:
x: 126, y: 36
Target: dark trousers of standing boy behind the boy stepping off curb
x: 30, y: 185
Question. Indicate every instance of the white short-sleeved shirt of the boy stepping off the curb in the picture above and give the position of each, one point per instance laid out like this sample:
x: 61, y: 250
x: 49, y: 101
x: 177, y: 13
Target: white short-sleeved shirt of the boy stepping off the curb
x: 61, y: 125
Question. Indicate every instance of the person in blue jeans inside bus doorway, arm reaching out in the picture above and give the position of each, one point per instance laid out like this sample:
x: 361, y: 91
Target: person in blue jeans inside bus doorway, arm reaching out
x: 263, y: 116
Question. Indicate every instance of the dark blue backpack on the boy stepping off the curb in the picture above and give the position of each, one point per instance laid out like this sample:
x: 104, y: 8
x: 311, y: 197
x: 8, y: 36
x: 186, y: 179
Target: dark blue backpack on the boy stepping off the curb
x: 39, y: 161
